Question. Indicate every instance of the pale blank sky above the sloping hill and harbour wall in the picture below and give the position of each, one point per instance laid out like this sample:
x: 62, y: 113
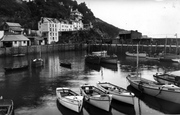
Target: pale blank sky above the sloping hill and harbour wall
x: 154, y: 18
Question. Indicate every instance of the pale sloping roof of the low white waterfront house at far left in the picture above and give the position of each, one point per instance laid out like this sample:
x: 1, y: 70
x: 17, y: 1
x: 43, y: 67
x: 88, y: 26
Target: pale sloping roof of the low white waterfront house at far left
x: 14, y: 38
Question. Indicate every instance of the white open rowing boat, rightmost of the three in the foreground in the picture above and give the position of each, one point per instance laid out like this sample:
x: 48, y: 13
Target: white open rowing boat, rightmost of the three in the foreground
x: 118, y: 93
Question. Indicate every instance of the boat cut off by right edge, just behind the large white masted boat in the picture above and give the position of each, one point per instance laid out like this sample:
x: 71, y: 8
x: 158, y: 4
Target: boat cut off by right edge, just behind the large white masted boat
x: 168, y: 77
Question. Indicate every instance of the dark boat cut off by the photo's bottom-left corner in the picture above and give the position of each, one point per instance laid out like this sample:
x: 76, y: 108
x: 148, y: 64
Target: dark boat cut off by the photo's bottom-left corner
x: 6, y: 106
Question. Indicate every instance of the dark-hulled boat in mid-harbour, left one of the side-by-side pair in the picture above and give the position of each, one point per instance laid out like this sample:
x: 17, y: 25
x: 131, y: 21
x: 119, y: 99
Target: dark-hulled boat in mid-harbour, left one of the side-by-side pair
x: 92, y: 59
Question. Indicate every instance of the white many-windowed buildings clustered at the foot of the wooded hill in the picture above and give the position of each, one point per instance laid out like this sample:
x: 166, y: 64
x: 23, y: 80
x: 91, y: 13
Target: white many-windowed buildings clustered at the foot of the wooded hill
x: 50, y: 27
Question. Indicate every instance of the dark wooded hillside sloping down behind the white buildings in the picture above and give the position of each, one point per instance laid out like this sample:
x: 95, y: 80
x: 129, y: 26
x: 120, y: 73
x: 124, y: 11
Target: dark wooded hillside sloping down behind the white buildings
x: 29, y: 13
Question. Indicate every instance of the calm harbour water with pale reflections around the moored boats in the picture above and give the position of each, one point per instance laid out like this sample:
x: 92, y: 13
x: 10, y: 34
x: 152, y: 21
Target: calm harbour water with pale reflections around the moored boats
x: 33, y: 90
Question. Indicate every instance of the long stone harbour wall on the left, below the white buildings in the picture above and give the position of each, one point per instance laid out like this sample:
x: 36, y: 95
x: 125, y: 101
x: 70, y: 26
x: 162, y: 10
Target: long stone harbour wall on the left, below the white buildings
x: 8, y: 51
